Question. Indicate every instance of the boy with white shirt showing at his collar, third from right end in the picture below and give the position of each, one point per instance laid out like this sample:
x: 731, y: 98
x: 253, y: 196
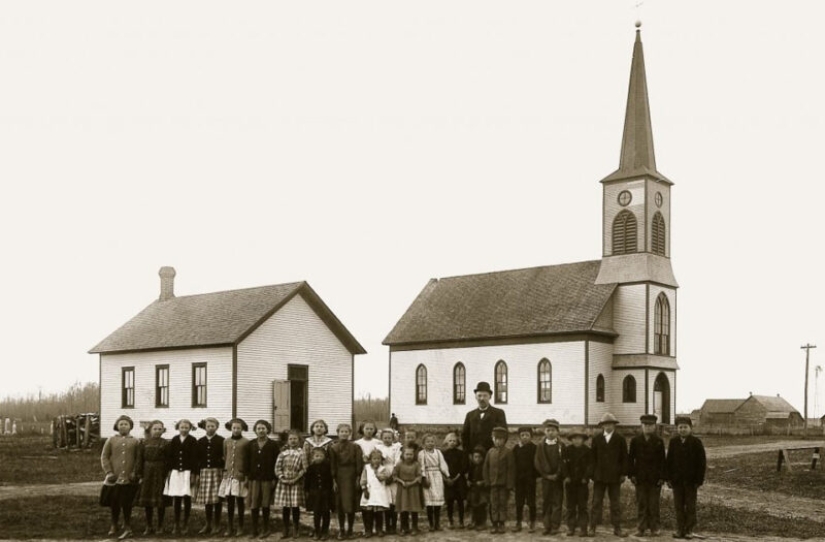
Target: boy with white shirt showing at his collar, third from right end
x: 609, y: 460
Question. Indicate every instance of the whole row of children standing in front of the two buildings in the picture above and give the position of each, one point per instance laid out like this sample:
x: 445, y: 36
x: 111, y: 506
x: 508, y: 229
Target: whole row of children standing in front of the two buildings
x: 384, y: 478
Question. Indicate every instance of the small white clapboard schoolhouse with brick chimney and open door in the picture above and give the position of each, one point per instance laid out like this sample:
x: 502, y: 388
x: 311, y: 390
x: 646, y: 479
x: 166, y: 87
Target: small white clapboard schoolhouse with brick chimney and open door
x: 275, y: 352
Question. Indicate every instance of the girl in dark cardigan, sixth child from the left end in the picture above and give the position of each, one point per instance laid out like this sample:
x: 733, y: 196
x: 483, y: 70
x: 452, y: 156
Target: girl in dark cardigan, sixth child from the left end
x: 263, y: 454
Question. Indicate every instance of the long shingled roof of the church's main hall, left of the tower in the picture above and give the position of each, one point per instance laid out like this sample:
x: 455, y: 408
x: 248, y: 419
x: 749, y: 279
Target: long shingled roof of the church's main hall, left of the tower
x: 519, y: 303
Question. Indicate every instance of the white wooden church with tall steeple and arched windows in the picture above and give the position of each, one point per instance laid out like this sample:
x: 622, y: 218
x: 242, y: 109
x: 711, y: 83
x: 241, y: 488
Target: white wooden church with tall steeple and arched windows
x: 569, y: 341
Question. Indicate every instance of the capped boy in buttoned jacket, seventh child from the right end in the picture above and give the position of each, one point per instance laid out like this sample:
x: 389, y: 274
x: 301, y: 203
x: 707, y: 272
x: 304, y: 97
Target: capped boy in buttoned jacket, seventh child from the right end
x: 499, y: 477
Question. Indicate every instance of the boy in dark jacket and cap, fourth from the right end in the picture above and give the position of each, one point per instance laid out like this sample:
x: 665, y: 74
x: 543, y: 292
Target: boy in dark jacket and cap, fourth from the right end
x: 576, y: 460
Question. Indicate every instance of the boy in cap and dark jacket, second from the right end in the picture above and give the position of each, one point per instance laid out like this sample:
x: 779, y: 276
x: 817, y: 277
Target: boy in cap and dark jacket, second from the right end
x: 646, y: 468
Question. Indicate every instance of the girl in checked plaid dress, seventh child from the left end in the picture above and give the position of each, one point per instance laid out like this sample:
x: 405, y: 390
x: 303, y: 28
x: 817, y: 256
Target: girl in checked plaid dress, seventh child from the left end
x: 290, y: 468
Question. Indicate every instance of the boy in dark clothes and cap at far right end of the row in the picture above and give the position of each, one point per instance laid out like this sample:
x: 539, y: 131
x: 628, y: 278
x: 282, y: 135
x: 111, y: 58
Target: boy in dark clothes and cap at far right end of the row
x: 686, y: 465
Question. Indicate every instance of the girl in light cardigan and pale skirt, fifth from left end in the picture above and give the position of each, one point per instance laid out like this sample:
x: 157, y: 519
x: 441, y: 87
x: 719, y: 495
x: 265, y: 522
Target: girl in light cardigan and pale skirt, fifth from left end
x: 233, y: 485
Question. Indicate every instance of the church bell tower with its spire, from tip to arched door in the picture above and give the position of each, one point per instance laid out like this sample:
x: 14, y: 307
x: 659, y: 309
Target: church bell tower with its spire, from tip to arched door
x: 636, y: 248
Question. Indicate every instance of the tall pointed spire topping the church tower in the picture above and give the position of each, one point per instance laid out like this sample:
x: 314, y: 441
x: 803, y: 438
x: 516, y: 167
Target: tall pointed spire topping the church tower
x: 637, y: 158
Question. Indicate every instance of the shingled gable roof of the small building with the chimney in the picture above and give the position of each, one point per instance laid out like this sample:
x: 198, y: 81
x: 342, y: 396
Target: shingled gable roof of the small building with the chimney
x: 214, y: 319
